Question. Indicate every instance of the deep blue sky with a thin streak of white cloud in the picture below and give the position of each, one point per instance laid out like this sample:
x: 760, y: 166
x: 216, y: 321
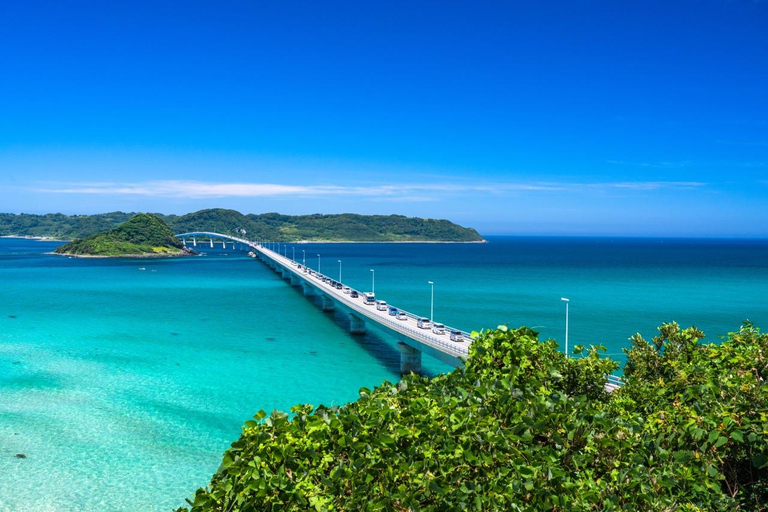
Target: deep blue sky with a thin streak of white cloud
x: 575, y: 118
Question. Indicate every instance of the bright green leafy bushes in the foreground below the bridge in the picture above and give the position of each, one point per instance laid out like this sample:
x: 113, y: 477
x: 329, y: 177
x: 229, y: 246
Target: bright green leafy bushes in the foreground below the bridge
x: 522, y: 427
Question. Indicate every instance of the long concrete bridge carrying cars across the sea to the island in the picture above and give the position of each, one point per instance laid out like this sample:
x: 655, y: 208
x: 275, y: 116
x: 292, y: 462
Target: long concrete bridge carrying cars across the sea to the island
x: 451, y: 347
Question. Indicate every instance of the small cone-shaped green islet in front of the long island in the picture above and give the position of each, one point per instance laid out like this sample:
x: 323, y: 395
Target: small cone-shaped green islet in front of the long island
x: 143, y: 236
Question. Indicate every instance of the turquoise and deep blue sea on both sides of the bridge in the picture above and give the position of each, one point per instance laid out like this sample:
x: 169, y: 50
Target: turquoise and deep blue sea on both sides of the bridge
x: 123, y: 381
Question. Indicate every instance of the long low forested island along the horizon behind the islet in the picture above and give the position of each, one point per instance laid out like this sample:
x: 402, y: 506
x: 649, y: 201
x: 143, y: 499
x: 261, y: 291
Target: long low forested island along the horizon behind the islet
x: 270, y: 226
